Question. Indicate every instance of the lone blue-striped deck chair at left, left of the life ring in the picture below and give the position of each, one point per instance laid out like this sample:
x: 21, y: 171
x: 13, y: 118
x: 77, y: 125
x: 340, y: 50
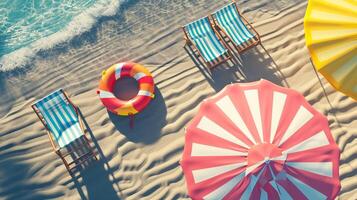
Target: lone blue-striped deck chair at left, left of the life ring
x: 64, y: 127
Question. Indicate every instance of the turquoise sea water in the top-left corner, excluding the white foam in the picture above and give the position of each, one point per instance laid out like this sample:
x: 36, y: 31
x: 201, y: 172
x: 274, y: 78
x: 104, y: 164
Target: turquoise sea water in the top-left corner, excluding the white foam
x: 25, y: 21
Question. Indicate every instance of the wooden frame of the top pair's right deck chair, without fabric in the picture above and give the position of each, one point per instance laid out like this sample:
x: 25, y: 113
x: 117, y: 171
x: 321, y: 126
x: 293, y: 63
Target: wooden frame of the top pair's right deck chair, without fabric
x: 224, y: 34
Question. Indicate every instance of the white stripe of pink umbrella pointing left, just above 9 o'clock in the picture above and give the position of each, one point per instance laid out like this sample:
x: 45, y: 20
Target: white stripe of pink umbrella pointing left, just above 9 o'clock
x: 206, y: 150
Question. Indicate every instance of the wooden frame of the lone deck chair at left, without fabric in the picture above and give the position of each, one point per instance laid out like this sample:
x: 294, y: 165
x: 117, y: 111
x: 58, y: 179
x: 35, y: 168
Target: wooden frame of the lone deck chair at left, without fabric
x: 57, y: 149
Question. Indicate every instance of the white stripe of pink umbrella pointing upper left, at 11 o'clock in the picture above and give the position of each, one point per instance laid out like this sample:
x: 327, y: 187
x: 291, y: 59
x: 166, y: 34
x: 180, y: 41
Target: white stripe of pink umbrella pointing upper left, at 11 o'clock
x: 226, y: 106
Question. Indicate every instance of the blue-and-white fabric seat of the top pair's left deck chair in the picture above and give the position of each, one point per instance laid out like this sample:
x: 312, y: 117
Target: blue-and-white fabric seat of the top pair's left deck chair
x: 204, y: 38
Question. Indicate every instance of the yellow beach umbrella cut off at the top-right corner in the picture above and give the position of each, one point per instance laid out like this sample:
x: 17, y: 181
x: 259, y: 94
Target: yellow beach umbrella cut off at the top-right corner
x: 331, y: 37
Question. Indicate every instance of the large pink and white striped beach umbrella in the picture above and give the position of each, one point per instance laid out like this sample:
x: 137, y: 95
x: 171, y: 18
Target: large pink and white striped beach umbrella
x: 260, y: 141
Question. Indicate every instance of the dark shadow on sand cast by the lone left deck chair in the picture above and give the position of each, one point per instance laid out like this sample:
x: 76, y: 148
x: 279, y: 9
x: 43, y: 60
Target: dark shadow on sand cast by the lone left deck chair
x: 97, y: 176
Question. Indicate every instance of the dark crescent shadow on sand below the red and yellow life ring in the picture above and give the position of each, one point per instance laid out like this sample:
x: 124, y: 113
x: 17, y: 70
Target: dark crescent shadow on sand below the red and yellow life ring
x: 147, y: 124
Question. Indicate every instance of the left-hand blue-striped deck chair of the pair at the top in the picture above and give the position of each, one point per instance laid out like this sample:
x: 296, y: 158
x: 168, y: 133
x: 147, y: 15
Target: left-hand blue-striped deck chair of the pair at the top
x: 201, y: 34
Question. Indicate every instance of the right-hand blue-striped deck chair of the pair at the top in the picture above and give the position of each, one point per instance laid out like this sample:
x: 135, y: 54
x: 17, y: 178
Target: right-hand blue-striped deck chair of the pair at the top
x: 235, y: 27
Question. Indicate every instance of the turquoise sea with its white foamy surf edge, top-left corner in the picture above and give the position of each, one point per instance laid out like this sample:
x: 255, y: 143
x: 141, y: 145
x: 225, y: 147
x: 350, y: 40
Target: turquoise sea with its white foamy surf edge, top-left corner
x: 28, y: 26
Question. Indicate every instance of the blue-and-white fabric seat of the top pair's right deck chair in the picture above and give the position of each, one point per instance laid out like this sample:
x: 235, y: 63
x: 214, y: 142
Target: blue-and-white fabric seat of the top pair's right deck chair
x: 229, y: 20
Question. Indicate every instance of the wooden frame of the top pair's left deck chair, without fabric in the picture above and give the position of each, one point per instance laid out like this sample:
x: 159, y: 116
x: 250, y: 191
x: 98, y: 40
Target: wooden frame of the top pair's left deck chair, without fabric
x: 212, y: 64
